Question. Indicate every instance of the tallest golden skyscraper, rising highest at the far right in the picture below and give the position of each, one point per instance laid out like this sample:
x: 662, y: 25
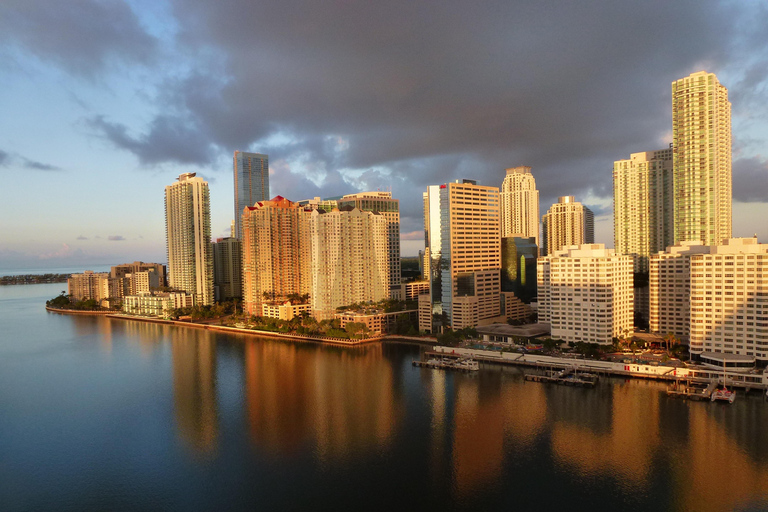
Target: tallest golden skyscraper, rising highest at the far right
x: 701, y: 134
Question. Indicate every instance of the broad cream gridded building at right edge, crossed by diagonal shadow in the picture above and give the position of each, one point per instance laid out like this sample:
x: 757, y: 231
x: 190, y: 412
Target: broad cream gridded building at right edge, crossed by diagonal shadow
x: 722, y: 293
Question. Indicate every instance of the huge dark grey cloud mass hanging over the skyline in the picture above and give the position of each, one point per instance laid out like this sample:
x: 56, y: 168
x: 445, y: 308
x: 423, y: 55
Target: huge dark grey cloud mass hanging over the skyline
x: 407, y: 94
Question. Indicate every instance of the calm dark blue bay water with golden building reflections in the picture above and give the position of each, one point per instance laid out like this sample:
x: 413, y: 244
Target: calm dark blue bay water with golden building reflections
x: 99, y: 414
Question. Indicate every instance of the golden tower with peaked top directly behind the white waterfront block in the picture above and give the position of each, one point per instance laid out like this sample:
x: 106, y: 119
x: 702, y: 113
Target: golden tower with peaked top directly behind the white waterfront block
x: 567, y: 223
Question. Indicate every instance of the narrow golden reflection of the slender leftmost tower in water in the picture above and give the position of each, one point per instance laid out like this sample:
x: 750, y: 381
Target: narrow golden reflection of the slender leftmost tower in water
x: 194, y: 388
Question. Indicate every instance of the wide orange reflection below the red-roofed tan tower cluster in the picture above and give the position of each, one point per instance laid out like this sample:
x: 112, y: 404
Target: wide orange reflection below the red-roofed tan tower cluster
x: 338, y: 401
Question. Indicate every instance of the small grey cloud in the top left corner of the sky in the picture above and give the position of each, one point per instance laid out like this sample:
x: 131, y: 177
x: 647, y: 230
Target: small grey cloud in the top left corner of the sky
x: 82, y: 36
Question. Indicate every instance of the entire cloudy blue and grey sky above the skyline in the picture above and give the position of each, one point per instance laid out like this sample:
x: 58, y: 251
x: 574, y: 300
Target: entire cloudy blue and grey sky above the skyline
x: 104, y: 103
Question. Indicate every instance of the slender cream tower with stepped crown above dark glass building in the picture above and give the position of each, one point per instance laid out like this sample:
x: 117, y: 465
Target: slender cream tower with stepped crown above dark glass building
x: 519, y: 204
